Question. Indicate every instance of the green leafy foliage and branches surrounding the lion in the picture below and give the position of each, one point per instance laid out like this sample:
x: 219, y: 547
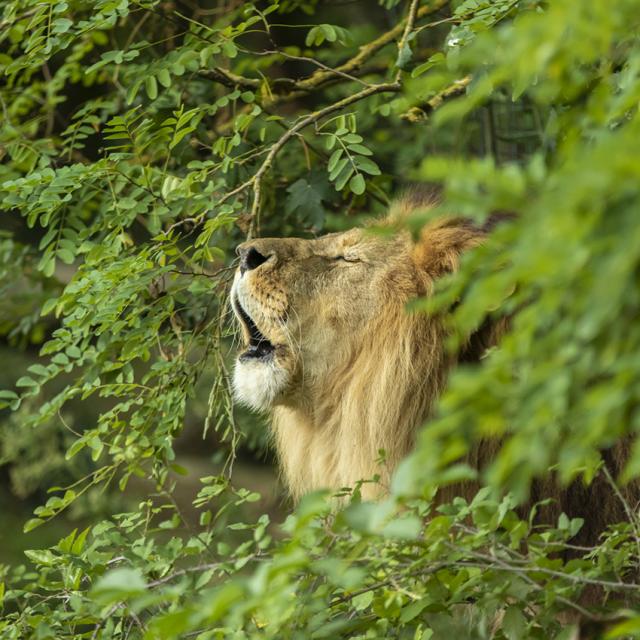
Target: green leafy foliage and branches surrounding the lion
x: 142, y: 141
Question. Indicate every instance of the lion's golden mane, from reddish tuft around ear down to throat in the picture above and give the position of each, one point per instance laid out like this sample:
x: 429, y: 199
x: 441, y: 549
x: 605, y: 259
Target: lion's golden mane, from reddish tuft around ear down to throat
x: 385, y: 389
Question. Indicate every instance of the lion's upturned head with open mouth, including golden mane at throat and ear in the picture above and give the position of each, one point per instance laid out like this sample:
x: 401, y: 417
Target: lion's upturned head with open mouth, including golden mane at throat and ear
x: 331, y: 349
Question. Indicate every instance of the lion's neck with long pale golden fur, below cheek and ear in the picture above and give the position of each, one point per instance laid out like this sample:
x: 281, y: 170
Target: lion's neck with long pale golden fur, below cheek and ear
x: 375, y: 403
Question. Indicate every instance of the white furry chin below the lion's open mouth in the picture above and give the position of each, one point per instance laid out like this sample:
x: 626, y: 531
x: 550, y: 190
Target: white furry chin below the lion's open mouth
x: 258, y: 382
